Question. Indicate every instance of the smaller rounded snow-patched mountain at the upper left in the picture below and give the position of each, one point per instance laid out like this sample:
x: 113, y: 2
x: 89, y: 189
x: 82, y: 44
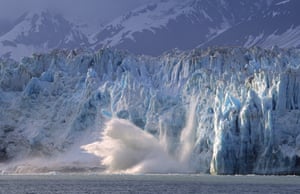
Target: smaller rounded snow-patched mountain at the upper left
x: 40, y: 31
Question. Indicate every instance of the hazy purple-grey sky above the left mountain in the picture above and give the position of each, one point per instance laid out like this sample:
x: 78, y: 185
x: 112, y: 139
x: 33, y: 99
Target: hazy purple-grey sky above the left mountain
x: 101, y: 10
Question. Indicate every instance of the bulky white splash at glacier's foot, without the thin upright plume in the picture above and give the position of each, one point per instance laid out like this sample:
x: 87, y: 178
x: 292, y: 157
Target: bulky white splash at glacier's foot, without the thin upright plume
x: 125, y: 148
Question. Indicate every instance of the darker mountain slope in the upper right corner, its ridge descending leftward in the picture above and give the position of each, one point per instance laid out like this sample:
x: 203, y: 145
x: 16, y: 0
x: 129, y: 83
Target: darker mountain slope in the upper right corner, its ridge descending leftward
x: 277, y: 24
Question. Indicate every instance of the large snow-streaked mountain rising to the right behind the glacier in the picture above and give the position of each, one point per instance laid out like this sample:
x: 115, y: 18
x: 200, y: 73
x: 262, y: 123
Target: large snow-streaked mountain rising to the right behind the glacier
x: 169, y: 24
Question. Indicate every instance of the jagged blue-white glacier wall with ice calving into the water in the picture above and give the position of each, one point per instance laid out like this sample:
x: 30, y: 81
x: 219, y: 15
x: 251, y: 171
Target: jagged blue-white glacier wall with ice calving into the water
x: 214, y: 110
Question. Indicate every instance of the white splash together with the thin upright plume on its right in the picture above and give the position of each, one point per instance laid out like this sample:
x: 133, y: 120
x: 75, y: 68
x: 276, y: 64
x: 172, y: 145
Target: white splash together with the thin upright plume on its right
x: 125, y: 148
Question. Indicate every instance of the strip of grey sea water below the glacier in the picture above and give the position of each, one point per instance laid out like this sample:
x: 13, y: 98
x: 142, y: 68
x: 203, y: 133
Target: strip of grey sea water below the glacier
x: 103, y: 183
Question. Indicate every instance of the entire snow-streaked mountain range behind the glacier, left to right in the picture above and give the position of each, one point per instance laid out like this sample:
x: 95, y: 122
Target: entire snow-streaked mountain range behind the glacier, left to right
x: 160, y: 26
